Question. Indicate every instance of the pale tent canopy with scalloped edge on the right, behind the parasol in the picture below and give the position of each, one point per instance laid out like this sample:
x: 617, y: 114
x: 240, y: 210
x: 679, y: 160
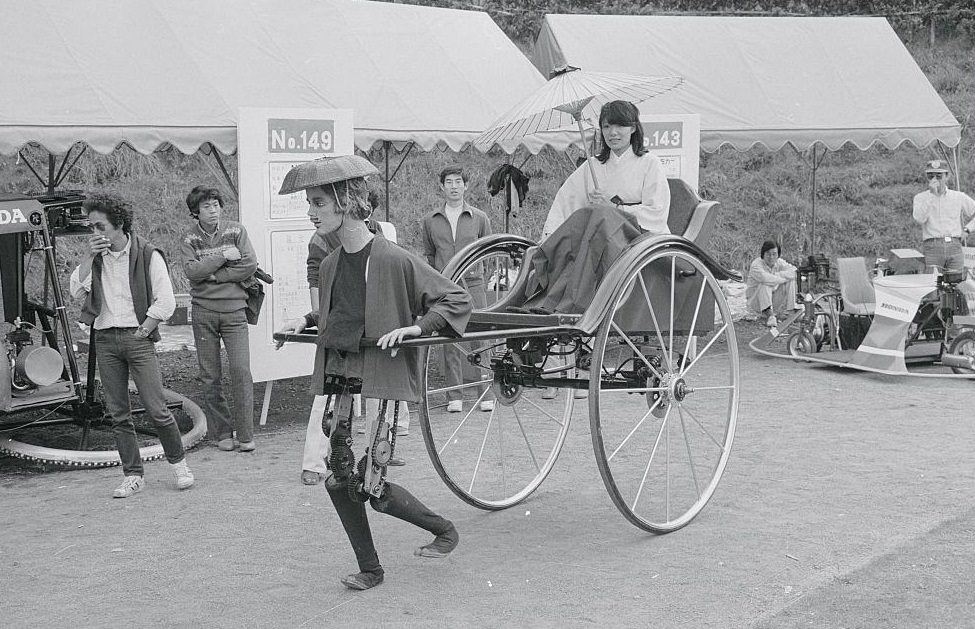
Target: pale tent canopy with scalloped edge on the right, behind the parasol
x: 769, y: 81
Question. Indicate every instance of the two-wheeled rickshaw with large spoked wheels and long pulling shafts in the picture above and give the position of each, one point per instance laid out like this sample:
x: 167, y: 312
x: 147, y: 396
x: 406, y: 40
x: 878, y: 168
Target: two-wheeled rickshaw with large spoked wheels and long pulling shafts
x: 653, y: 358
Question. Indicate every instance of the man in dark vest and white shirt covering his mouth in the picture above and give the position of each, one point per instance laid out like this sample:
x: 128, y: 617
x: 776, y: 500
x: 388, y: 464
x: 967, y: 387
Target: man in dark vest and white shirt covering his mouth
x: 127, y: 291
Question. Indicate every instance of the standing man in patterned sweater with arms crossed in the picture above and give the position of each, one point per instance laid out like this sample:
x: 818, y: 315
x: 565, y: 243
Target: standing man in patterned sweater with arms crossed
x: 217, y: 257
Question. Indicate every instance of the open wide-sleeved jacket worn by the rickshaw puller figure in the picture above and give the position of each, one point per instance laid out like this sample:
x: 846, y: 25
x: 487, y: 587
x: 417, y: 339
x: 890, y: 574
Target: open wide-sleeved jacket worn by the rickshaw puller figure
x: 400, y: 287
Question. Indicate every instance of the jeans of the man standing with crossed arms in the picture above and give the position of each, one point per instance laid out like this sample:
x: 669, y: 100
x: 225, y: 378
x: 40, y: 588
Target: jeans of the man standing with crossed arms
x: 208, y: 328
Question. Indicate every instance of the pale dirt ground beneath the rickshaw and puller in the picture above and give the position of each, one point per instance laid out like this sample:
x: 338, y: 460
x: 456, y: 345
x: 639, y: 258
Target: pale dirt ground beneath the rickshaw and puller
x: 848, y: 502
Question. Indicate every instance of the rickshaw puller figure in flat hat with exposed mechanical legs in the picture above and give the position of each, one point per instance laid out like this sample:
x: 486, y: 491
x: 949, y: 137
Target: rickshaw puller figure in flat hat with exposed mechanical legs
x: 370, y: 287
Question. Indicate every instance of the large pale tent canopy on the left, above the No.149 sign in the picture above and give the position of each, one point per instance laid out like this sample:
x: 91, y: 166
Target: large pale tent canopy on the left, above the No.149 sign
x: 176, y: 71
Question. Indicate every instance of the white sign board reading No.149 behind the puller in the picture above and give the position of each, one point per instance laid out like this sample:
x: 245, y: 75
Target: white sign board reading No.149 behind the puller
x: 270, y: 142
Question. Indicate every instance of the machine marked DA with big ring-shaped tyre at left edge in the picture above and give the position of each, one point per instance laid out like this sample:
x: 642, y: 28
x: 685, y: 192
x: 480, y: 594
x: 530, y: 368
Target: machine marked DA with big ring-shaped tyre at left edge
x: 42, y: 388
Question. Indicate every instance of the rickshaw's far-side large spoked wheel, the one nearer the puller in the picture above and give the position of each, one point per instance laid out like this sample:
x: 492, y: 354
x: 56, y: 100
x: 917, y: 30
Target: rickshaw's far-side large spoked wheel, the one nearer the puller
x: 492, y: 459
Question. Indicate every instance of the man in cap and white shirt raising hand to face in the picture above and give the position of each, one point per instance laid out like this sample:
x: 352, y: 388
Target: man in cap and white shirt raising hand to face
x: 946, y: 218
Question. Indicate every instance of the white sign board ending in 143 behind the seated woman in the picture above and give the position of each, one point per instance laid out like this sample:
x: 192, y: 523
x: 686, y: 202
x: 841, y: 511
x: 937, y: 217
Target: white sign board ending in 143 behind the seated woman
x: 676, y: 140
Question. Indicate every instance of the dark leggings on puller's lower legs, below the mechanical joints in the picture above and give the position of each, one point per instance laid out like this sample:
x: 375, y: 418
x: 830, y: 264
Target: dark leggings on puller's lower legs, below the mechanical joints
x: 396, y: 502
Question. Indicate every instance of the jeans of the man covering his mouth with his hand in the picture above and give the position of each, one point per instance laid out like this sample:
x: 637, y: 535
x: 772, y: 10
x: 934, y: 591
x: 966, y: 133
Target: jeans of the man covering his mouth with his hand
x: 122, y: 355
